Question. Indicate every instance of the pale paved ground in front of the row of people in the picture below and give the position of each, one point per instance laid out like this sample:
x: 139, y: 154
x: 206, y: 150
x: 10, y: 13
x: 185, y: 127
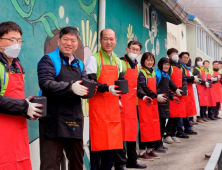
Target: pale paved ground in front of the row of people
x: 189, y: 154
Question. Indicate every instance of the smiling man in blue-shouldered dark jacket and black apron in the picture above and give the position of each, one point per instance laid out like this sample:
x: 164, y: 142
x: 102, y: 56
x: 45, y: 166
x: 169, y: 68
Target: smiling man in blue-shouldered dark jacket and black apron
x: 59, y: 75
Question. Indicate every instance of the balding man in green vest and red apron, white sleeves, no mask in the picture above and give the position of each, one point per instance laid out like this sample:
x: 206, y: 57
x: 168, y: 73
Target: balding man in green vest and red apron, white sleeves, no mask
x: 105, y: 67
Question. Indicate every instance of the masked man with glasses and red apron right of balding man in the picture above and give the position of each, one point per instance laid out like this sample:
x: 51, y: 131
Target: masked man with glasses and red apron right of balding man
x: 129, y: 108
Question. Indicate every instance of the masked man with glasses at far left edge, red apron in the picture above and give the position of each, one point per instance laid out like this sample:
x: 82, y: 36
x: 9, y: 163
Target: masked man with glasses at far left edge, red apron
x: 14, y: 109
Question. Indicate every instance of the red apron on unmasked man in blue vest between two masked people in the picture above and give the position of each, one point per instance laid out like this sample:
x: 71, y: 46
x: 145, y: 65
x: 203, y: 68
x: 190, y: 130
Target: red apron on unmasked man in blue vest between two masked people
x: 190, y: 100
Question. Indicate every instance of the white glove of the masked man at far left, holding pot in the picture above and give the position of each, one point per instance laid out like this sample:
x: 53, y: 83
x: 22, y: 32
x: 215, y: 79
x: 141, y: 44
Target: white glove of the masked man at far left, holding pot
x: 33, y: 109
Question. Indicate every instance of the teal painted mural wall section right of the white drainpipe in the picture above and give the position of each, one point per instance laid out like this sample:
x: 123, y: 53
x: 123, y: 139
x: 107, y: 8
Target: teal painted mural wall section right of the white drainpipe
x: 119, y: 14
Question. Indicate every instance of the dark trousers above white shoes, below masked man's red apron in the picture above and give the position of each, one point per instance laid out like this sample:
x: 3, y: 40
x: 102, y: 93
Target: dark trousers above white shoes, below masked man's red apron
x: 171, y: 126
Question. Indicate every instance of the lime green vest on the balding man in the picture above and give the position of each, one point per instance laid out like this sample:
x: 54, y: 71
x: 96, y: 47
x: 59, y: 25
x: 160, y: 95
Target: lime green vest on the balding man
x: 106, y: 61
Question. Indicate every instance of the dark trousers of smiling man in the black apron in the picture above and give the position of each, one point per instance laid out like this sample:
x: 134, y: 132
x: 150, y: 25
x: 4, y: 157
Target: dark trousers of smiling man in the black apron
x: 51, y: 152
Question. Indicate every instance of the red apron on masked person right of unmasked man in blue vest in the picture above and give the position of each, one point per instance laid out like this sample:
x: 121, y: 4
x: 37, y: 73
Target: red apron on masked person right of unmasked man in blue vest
x: 202, y: 91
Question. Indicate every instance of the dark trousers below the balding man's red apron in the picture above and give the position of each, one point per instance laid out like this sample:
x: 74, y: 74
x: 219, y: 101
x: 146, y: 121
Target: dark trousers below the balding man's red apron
x: 102, y: 160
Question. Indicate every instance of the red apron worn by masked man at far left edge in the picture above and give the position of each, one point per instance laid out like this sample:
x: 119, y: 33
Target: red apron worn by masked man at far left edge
x: 14, y: 143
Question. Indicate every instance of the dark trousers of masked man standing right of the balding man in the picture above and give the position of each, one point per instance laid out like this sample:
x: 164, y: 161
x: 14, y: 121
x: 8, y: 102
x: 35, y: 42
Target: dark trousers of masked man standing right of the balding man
x: 121, y: 160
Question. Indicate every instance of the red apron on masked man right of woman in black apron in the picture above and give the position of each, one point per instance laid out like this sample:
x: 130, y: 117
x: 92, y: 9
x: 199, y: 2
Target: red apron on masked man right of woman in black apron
x: 177, y: 110
